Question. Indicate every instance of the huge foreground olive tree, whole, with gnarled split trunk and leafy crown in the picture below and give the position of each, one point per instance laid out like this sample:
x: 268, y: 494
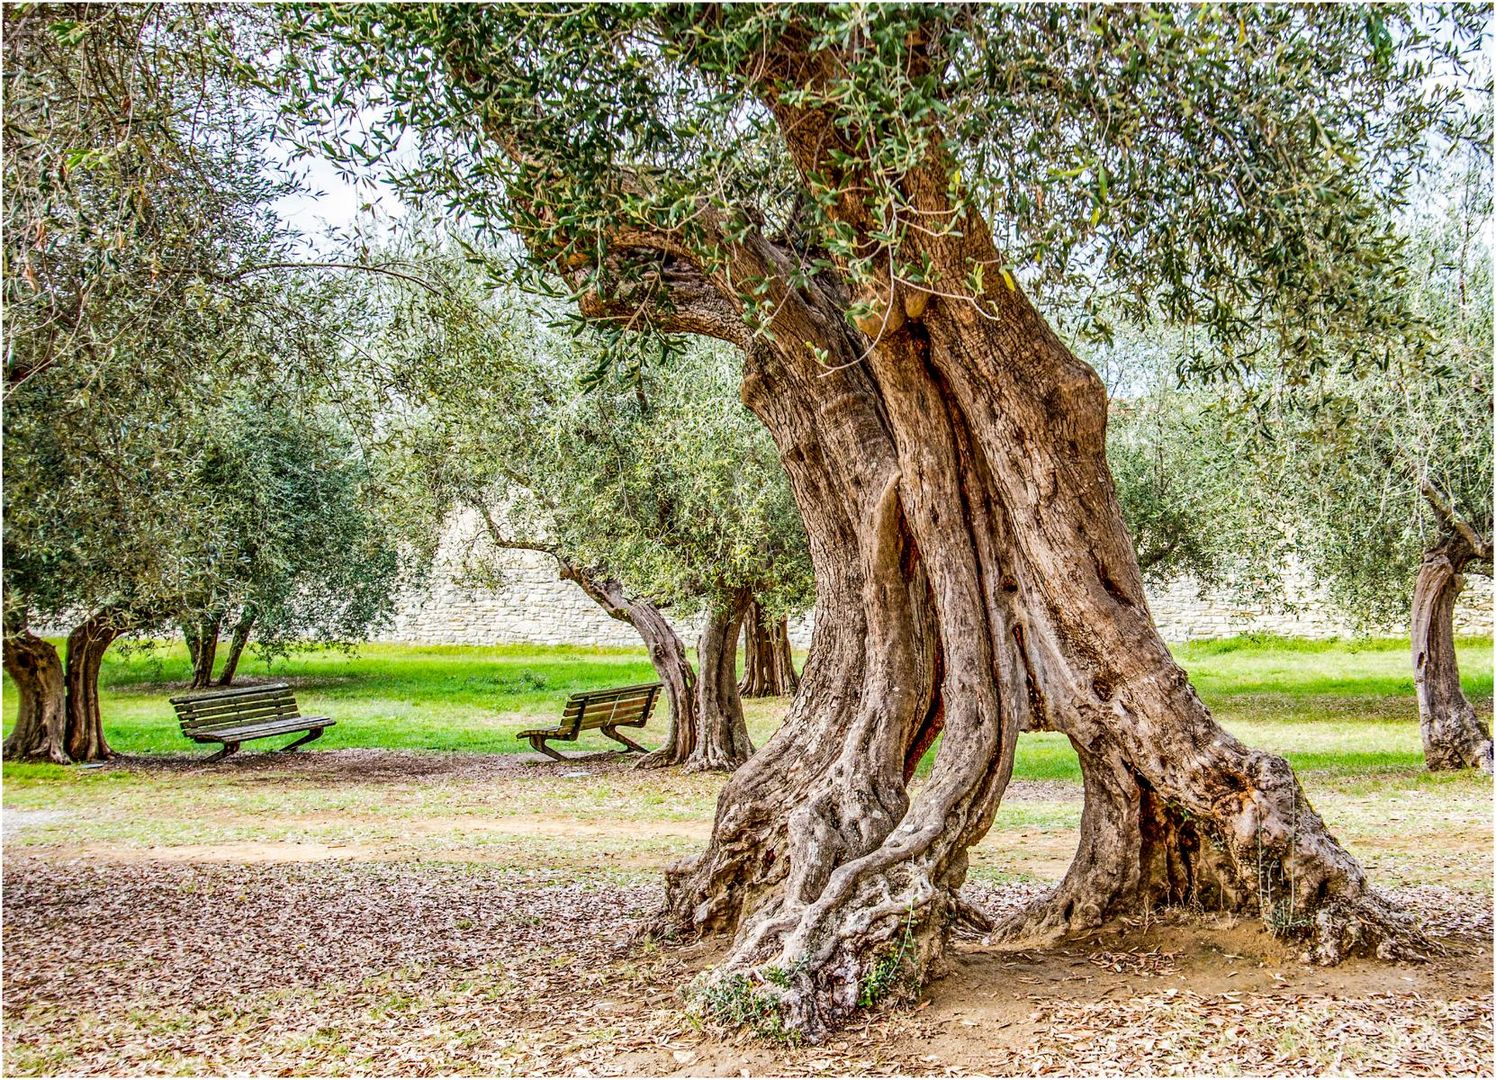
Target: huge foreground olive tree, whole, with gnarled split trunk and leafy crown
x: 864, y: 200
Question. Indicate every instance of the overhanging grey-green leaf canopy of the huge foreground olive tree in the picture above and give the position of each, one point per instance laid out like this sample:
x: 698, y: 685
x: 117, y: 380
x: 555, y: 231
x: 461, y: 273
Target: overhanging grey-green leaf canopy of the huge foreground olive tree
x: 1218, y: 167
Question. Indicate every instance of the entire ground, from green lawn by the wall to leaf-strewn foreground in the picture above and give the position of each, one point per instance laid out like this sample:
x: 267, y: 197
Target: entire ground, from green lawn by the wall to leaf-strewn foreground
x: 399, y: 910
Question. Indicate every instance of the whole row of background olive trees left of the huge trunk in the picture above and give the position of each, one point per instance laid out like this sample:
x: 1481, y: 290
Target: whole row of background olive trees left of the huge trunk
x: 191, y: 436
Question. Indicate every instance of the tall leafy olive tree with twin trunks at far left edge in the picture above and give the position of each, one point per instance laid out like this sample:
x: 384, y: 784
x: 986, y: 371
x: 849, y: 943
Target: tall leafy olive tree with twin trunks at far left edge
x: 132, y: 239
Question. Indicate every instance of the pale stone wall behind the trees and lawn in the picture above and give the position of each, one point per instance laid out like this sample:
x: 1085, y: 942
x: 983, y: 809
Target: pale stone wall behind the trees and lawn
x: 536, y: 607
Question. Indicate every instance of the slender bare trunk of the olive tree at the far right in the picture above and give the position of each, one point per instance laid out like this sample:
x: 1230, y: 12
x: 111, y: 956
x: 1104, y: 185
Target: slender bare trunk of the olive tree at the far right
x: 1453, y: 735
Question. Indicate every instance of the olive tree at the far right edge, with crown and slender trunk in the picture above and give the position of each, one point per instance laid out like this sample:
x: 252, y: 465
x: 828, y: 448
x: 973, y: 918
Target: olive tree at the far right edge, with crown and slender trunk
x: 1392, y: 470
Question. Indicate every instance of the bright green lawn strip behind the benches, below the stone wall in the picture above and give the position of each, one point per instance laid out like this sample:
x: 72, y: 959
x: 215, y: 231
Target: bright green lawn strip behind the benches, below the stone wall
x: 1344, y: 708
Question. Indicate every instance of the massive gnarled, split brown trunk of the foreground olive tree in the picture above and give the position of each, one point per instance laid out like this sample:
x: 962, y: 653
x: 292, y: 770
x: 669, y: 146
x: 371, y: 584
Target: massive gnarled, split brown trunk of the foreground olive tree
x: 975, y: 580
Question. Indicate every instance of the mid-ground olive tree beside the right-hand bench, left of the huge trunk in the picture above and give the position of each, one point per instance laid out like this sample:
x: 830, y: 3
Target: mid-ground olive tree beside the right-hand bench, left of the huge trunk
x: 653, y: 490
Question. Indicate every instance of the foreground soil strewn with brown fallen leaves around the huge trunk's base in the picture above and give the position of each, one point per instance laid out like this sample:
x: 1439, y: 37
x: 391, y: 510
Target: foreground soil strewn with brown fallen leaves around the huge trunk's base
x: 406, y: 969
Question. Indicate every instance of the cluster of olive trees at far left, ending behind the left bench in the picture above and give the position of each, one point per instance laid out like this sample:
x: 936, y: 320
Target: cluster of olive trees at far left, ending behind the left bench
x: 167, y: 458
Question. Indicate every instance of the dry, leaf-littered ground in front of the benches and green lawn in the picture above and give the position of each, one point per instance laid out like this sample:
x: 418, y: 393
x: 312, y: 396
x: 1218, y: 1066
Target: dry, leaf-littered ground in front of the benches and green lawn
x: 387, y: 913
